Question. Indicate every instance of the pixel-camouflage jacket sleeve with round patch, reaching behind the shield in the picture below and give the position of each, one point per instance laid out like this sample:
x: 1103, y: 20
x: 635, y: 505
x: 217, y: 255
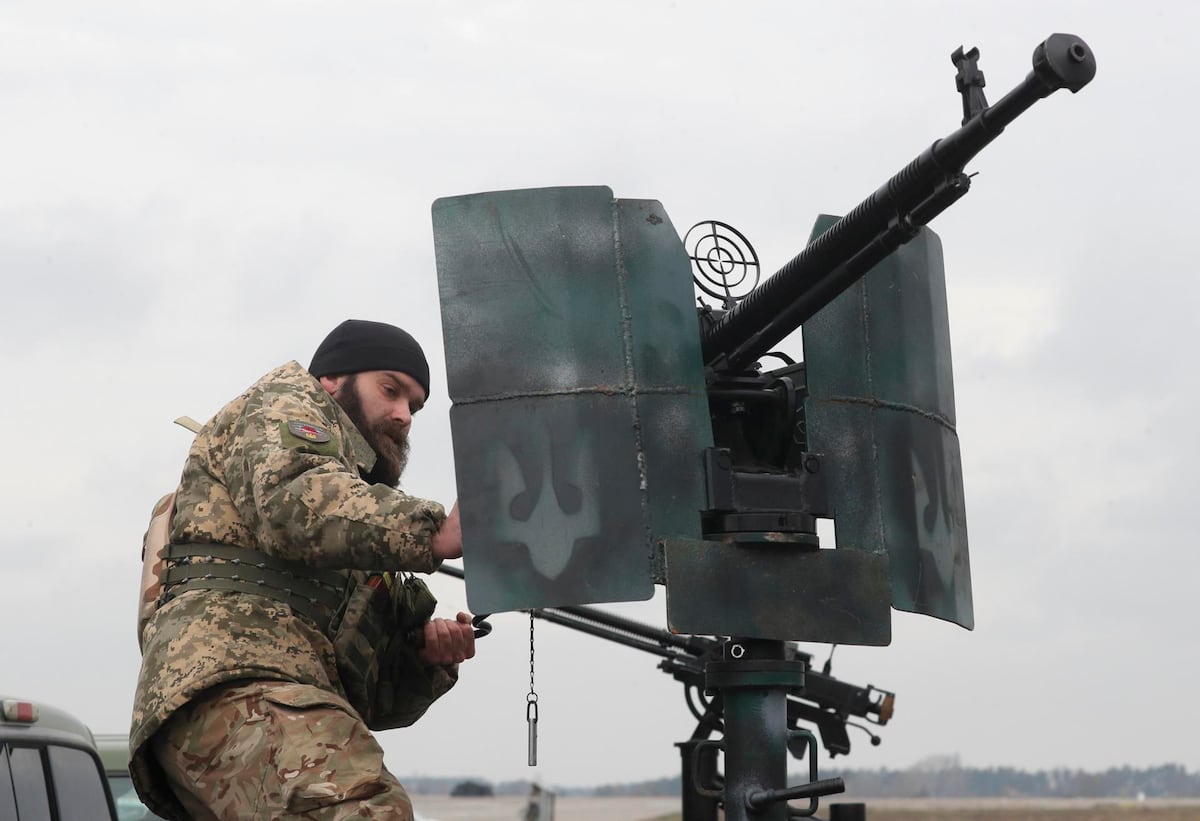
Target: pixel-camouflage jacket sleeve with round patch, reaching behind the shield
x: 305, y: 500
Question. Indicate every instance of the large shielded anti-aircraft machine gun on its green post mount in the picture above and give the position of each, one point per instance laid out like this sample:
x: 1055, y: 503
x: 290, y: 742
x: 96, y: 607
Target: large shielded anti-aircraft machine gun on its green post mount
x: 605, y: 444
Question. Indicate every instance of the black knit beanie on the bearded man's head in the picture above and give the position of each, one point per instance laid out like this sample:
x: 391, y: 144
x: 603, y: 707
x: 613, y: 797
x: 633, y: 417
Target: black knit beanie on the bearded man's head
x: 361, y: 345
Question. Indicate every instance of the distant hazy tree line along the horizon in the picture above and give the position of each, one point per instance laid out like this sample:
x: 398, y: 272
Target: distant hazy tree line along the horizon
x: 956, y: 782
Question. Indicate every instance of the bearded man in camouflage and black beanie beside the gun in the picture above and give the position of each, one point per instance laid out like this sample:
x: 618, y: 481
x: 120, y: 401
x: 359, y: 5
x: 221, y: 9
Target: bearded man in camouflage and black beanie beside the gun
x: 284, y: 634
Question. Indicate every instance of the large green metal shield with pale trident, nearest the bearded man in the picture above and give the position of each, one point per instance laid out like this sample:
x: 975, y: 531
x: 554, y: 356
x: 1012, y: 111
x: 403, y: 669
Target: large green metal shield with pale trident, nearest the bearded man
x: 580, y: 415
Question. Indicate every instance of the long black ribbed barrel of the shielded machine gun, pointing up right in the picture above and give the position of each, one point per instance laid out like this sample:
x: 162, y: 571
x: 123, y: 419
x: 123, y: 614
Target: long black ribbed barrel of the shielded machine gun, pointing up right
x: 886, y: 220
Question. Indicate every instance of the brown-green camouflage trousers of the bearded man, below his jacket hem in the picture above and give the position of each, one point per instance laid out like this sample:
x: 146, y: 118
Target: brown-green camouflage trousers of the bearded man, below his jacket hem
x: 262, y: 750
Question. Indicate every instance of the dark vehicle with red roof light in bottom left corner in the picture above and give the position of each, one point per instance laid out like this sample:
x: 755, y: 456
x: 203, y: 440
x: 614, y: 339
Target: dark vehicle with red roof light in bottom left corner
x: 50, y: 769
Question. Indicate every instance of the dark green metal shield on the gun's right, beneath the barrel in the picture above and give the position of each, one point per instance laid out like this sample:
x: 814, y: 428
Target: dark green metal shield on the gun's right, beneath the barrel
x: 881, y: 407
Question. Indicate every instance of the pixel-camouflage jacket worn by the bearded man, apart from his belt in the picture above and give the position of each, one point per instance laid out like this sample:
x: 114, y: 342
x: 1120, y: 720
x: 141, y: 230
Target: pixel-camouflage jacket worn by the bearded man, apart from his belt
x: 253, y: 482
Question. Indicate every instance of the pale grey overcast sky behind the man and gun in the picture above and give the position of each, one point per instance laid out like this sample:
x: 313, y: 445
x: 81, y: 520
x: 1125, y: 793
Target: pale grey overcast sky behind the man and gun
x: 193, y: 194
